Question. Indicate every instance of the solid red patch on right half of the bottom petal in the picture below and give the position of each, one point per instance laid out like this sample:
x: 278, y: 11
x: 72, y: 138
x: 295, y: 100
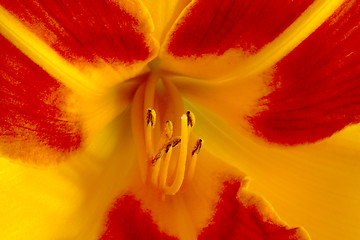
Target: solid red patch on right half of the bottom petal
x: 233, y: 221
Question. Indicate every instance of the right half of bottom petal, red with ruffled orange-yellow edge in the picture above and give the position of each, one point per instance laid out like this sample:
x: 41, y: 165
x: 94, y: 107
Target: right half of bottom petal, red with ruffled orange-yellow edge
x: 241, y: 215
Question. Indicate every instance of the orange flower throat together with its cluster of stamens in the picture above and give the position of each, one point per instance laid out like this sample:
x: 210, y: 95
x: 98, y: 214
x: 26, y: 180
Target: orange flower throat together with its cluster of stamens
x: 166, y: 151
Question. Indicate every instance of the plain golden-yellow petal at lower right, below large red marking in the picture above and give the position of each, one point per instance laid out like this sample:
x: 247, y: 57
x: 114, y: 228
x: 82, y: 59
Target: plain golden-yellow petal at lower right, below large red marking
x: 312, y: 185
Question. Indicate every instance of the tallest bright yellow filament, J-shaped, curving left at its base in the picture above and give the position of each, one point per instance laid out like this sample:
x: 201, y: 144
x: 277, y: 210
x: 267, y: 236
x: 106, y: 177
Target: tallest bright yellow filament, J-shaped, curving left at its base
x: 181, y: 163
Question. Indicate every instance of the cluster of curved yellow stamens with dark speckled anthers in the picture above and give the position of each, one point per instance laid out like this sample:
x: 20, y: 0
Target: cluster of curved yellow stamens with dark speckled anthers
x: 172, y: 162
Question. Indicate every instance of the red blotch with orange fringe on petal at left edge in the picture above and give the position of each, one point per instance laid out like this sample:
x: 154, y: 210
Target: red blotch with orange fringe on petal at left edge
x: 36, y: 111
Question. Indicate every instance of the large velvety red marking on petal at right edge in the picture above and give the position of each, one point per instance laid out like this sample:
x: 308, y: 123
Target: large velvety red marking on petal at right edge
x: 317, y: 86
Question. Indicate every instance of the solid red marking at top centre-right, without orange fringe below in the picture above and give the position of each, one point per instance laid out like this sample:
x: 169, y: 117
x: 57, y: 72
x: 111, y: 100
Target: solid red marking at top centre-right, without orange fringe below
x: 214, y: 26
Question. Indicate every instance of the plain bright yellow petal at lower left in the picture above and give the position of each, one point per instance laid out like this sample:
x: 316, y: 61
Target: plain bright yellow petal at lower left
x: 67, y: 200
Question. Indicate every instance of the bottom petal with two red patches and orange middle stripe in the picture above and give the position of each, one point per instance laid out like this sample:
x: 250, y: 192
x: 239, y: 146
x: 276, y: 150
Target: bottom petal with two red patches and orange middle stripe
x: 214, y: 188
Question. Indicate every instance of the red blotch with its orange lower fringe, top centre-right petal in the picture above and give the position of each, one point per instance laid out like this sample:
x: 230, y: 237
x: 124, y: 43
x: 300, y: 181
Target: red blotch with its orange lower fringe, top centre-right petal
x: 207, y: 30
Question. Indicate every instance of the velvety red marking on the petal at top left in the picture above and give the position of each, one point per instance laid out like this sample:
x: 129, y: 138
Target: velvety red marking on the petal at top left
x: 87, y: 29
